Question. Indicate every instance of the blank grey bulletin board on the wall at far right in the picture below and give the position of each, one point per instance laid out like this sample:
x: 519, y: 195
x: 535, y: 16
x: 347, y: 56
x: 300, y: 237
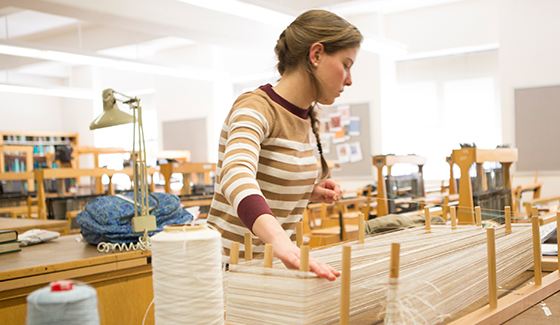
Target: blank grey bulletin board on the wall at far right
x: 537, y: 131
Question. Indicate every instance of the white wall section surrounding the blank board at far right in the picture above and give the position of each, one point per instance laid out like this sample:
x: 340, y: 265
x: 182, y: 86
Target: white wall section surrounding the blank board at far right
x: 529, y: 52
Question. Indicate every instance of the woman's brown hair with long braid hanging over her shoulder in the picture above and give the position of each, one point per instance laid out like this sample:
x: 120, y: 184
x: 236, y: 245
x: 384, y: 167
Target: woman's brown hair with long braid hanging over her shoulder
x: 292, y: 50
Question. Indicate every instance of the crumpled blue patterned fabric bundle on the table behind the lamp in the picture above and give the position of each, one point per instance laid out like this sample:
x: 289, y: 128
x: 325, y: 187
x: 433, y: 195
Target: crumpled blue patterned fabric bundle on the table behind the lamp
x: 109, y: 218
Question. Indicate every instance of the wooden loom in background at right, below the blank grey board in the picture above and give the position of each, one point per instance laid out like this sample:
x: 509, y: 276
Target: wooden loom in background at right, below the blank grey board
x: 490, y: 188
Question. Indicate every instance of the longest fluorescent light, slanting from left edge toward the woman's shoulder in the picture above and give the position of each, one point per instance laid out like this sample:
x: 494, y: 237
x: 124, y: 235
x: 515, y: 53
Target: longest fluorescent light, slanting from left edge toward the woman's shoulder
x: 31, y: 51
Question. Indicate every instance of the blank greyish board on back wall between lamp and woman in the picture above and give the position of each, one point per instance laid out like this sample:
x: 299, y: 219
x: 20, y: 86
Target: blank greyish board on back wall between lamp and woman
x: 187, y: 135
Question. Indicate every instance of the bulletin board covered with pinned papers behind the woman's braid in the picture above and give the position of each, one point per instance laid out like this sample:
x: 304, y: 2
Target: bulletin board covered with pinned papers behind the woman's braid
x: 345, y: 138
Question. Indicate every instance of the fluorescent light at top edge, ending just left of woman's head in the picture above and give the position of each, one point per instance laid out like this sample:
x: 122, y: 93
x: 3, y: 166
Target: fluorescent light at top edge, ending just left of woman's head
x: 245, y: 10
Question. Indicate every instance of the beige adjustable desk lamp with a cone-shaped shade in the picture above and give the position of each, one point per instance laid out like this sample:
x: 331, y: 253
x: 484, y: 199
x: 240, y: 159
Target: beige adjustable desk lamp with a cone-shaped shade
x: 112, y: 116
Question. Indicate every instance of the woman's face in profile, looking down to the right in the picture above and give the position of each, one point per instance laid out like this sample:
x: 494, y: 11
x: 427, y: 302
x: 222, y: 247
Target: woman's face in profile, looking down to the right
x: 334, y: 72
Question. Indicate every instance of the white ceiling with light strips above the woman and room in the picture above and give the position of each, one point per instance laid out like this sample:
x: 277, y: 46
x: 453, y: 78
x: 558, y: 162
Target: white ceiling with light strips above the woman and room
x: 166, y: 36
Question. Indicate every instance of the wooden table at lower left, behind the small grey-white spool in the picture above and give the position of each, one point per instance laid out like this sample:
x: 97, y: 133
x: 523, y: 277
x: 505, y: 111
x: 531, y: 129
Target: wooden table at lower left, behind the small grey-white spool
x: 123, y: 280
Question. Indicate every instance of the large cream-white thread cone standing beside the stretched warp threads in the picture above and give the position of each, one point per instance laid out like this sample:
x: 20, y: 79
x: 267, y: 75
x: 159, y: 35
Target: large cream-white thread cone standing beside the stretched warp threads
x: 187, y: 276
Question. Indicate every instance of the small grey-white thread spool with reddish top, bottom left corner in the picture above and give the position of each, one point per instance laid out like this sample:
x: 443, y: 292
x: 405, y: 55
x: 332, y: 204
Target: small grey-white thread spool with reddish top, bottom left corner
x: 63, y: 303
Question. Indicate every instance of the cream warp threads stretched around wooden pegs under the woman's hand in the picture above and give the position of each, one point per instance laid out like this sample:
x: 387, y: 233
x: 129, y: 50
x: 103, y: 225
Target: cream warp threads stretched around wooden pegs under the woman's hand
x: 442, y: 271
